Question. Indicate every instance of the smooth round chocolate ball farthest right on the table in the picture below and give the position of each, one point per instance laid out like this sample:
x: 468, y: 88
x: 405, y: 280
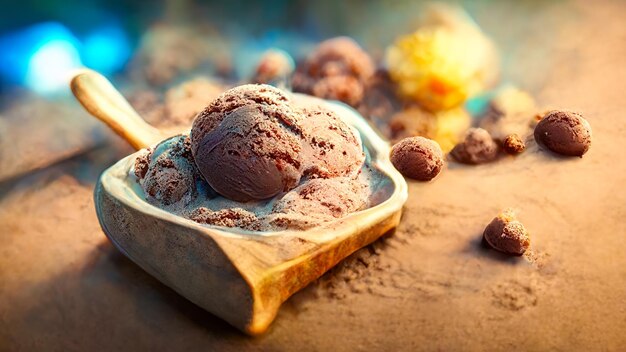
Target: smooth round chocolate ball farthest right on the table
x: 564, y: 132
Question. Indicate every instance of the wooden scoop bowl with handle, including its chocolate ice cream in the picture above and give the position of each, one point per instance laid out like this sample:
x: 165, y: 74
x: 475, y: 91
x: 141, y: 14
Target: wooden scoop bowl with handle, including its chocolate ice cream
x: 265, y: 192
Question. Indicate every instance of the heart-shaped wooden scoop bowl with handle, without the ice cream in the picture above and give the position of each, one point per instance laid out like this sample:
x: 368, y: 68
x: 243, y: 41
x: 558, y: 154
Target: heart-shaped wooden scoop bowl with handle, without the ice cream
x: 241, y: 276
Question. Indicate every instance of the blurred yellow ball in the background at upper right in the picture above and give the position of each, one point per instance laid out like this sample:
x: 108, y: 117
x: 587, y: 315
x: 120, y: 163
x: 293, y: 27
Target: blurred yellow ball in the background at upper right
x: 447, y: 60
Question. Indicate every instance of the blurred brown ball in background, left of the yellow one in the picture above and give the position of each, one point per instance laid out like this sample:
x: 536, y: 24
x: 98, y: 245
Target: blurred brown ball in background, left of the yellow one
x: 337, y: 69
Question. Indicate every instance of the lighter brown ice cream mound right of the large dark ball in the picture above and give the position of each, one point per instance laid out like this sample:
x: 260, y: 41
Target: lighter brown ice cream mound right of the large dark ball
x: 332, y: 148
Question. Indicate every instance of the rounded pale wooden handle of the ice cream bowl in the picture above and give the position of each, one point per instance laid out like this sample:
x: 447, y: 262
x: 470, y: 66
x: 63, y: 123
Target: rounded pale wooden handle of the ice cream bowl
x: 98, y: 96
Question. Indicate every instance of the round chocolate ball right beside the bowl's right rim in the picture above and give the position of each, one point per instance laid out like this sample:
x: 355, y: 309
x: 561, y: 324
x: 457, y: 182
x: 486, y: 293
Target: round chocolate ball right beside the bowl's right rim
x: 418, y: 158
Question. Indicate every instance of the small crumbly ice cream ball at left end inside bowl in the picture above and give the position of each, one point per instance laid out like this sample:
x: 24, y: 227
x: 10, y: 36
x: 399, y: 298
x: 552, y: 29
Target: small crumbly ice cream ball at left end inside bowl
x: 167, y: 173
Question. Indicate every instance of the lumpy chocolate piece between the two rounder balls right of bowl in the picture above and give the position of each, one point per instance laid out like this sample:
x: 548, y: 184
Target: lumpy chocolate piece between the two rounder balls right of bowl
x: 477, y: 147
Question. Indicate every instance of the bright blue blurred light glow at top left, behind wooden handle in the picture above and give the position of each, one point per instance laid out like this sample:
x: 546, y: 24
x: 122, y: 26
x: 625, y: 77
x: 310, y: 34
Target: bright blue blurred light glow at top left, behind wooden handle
x: 43, y: 57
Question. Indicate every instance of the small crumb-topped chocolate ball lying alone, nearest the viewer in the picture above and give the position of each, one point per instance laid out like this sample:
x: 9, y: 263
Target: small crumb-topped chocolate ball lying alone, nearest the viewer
x: 505, y: 234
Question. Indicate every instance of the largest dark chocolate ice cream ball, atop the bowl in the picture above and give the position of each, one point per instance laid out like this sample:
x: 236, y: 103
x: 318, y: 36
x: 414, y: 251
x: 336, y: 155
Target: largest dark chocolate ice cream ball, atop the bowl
x: 247, y: 143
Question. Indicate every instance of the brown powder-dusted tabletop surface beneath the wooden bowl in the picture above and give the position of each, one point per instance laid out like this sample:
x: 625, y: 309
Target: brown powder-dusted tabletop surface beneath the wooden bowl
x: 428, y: 286
